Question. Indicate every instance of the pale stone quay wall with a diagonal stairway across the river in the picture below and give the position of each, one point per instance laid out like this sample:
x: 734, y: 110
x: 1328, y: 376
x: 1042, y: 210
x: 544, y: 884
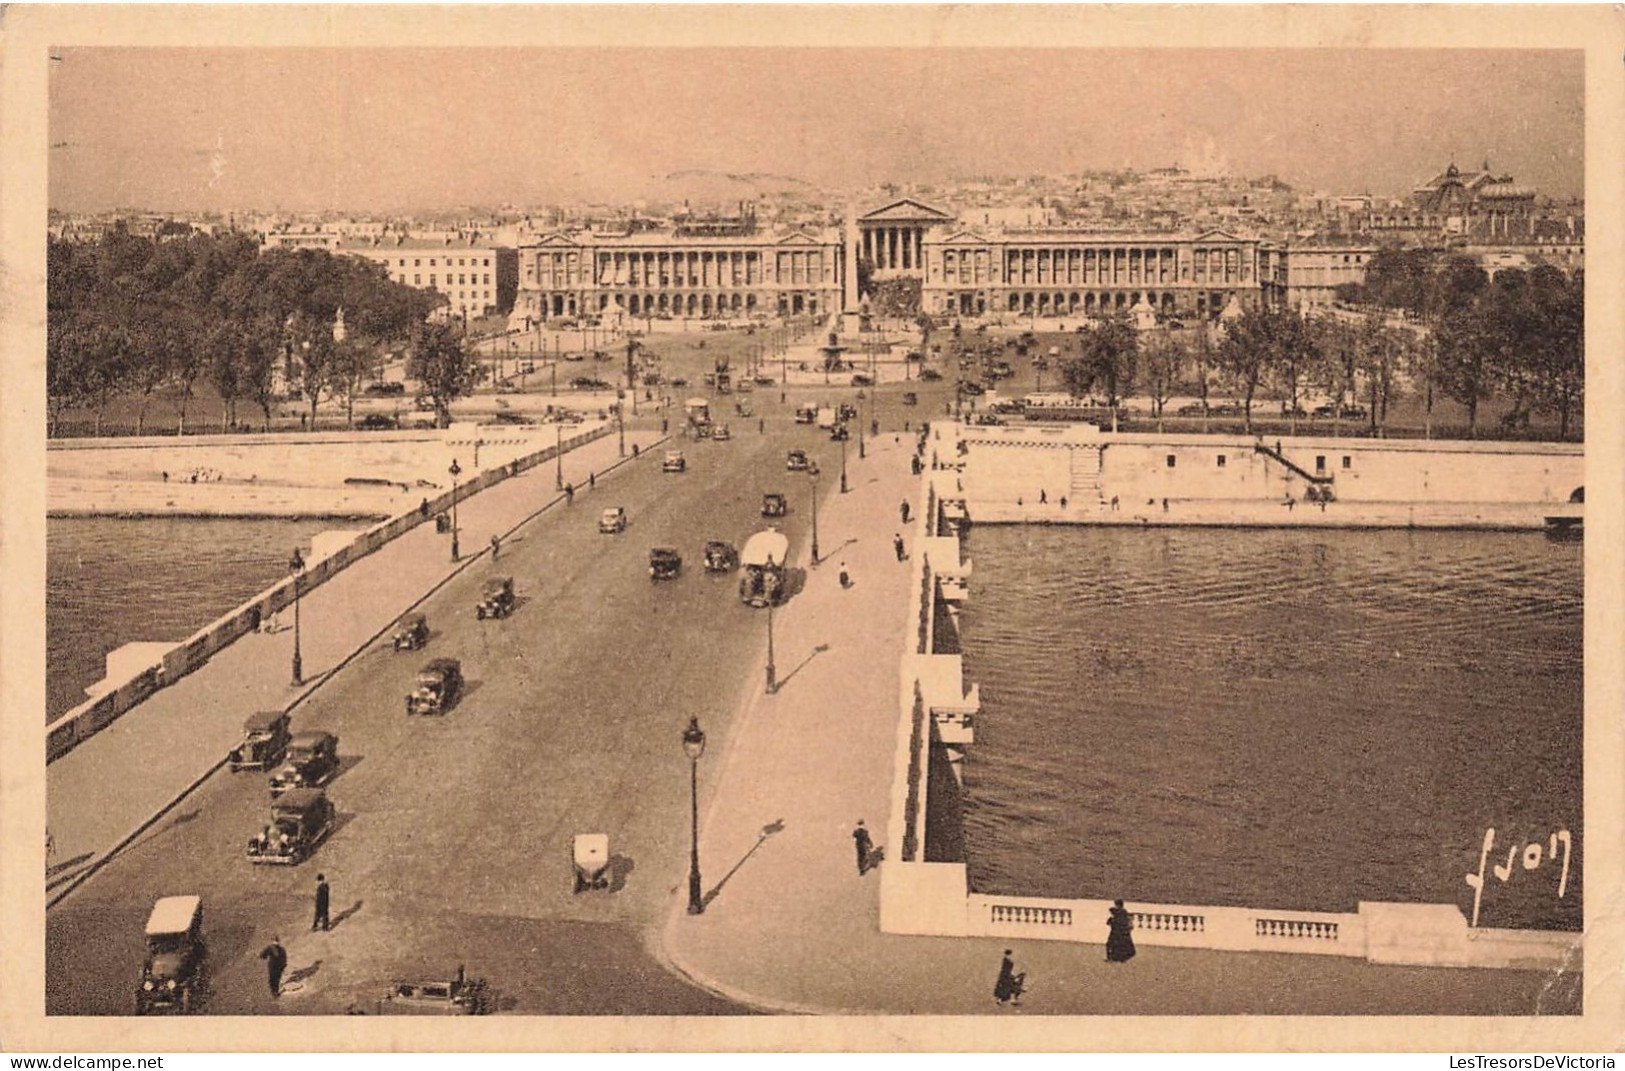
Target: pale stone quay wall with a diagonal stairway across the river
x: 1013, y: 466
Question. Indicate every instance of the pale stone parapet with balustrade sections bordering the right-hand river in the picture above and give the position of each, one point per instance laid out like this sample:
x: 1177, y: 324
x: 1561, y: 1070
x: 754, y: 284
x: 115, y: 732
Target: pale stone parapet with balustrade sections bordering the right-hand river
x: 929, y: 893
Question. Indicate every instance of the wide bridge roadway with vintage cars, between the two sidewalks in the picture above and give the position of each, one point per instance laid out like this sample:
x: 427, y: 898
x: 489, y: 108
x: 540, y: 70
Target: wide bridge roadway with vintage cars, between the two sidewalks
x: 454, y: 835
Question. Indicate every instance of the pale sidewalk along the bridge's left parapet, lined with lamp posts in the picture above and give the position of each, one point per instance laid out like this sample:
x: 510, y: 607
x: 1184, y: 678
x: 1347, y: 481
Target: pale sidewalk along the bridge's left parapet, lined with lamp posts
x: 110, y: 786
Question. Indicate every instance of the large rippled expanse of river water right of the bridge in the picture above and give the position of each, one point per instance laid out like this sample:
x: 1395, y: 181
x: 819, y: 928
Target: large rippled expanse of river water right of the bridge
x: 1276, y: 719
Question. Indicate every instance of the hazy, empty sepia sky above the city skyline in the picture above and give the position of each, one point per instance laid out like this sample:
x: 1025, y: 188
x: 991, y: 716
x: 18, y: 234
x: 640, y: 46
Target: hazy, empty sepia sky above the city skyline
x: 402, y: 129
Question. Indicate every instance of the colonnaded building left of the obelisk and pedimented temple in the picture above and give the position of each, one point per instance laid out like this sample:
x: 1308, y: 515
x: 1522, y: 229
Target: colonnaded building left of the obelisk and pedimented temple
x: 667, y: 275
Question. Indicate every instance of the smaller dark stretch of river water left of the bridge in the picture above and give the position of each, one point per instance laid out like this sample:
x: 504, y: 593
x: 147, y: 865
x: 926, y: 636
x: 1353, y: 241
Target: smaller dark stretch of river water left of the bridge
x: 113, y: 583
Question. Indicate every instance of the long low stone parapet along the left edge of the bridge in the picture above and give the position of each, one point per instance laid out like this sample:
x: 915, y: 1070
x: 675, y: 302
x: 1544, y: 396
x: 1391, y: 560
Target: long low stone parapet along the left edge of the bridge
x: 188, y: 656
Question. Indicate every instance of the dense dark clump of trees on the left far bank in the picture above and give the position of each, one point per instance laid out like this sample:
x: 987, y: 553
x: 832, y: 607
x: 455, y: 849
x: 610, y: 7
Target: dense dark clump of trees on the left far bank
x: 137, y: 318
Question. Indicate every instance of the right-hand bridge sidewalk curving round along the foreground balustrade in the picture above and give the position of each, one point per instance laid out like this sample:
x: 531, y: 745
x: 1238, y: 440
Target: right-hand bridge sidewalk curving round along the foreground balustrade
x: 792, y: 927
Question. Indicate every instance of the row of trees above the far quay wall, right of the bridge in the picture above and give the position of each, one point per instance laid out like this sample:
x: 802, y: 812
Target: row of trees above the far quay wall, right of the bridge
x: 1520, y: 339
